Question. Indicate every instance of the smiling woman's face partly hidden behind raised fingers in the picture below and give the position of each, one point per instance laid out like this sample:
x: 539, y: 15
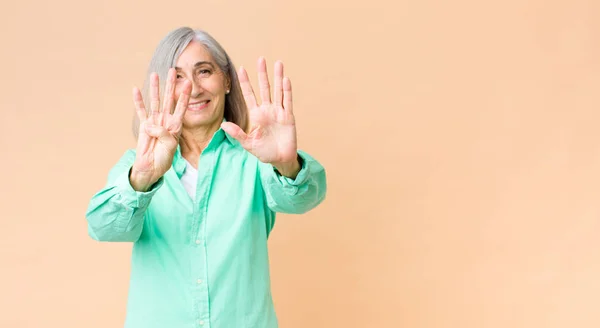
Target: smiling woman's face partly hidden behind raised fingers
x: 209, y: 86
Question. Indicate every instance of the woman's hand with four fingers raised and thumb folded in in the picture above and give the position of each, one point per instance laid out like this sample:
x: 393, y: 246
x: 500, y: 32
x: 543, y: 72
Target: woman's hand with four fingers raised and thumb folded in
x: 159, y: 131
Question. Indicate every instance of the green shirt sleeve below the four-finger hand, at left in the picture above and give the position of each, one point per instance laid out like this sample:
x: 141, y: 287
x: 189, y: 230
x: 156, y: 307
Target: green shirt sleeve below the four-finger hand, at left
x: 116, y: 212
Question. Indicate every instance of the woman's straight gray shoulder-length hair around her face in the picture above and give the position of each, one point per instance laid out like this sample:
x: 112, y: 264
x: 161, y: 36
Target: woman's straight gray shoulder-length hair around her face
x: 165, y: 56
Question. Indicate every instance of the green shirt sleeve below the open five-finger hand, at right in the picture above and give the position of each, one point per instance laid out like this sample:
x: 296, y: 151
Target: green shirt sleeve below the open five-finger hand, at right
x: 295, y: 196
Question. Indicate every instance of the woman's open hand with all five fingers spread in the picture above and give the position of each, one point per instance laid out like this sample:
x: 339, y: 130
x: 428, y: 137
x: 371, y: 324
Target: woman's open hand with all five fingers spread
x: 272, y: 134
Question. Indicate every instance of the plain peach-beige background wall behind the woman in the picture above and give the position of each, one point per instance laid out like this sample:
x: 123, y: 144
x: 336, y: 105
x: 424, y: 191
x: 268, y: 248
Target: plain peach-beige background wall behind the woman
x: 460, y: 139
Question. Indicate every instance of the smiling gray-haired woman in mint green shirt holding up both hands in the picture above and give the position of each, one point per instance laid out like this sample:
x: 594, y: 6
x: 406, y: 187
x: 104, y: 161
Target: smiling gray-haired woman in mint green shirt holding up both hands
x: 198, y: 195
